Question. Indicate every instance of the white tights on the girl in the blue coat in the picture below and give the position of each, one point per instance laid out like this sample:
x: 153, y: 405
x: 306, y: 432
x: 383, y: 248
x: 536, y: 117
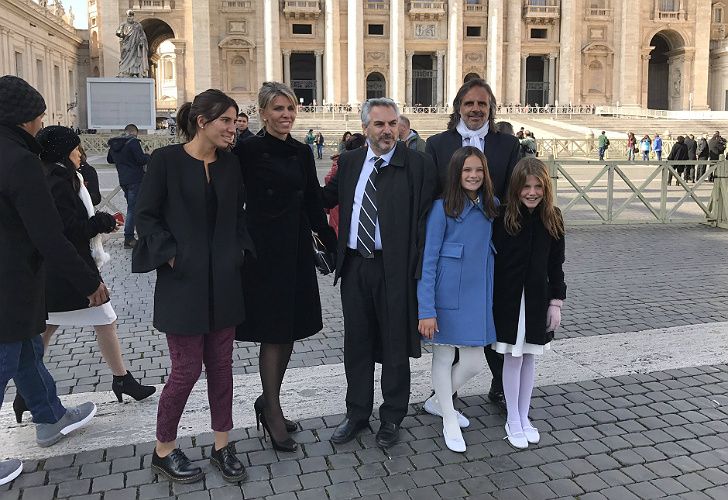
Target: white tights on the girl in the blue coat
x: 448, y: 378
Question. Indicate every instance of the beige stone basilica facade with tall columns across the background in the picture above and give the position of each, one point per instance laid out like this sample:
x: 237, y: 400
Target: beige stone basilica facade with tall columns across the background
x: 658, y: 54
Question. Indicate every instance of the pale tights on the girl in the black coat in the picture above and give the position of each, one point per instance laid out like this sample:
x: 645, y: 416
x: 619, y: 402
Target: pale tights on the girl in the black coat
x: 518, y: 377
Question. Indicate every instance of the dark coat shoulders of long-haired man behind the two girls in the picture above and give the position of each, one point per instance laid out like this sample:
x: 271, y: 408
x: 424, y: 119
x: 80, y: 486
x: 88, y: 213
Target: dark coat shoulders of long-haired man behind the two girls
x: 501, y: 150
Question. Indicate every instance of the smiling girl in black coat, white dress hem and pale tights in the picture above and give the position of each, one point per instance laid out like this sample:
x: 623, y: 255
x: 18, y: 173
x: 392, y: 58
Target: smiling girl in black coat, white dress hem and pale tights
x: 529, y: 288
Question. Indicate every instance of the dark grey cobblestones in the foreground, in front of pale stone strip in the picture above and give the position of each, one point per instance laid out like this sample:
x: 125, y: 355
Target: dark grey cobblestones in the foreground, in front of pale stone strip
x: 657, y: 435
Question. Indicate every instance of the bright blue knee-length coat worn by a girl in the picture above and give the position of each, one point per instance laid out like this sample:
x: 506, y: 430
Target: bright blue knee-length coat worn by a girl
x: 456, y: 286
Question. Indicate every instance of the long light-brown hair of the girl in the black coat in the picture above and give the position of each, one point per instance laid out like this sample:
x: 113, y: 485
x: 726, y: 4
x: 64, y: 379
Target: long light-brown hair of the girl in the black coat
x: 550, y: 215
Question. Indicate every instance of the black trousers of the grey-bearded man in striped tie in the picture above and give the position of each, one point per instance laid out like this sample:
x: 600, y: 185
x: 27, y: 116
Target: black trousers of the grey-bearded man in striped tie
x: 364, y: 303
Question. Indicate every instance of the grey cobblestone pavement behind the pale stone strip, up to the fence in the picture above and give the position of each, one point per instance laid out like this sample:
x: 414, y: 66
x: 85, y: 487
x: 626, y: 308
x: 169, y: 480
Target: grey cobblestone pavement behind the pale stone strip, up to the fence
x: 620, y: 279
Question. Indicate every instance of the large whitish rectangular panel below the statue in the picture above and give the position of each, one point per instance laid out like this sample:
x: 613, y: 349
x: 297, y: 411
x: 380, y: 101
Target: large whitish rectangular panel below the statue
x: 113, y: 103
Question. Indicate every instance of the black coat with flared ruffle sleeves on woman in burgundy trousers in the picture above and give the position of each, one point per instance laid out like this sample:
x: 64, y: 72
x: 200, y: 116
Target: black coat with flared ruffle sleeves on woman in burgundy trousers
x: 204, y: 291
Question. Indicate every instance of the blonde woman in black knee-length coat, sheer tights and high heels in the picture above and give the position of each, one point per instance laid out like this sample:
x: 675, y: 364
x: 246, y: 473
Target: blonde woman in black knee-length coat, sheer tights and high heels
x: 283, y: 202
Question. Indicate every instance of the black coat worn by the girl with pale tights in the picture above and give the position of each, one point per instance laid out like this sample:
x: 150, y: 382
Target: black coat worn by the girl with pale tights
x: 530, y: 262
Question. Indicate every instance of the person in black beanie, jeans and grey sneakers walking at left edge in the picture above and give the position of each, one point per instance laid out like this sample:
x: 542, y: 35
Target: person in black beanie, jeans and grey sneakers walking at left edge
x: 32, y: 233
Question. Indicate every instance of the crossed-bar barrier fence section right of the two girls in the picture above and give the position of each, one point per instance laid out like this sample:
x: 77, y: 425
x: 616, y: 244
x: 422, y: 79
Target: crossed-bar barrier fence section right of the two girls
x: 619, y: 192
